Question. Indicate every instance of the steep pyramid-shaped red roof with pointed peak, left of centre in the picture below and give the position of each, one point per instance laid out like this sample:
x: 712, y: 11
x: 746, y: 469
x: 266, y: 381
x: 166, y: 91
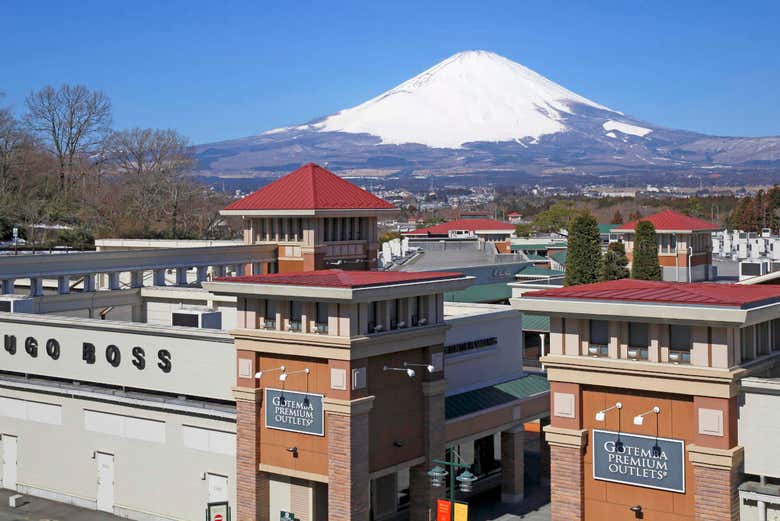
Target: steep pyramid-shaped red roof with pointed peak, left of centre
x: 311, y: 187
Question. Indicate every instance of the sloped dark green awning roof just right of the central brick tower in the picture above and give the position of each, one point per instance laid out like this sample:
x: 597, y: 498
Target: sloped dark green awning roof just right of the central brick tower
x: 477, y: 400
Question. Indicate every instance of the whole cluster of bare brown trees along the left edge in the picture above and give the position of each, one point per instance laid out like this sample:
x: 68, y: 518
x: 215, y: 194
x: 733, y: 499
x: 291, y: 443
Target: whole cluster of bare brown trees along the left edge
x: 62, y: 162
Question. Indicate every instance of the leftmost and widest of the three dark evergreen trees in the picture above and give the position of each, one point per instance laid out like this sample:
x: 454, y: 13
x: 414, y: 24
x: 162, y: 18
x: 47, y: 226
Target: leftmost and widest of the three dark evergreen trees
x: 584, y: 252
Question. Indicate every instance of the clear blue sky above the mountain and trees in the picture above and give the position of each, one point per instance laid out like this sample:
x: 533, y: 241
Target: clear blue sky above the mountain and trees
x: 225, y: 69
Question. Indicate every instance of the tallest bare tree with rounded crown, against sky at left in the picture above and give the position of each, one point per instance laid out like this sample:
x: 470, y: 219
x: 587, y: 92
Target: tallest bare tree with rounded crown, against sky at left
x: 71, y: 121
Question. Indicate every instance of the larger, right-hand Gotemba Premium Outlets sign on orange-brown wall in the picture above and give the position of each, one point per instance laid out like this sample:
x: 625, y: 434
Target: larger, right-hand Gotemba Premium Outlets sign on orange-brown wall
x: 644, y: 461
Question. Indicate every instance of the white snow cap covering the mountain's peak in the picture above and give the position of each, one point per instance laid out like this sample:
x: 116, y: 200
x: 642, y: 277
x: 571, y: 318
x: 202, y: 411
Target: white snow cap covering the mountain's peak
x: 471, y: 96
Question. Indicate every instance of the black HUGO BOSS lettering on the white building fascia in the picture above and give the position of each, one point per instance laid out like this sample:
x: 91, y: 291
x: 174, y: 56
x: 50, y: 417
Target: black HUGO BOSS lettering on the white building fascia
x: 113, y: 355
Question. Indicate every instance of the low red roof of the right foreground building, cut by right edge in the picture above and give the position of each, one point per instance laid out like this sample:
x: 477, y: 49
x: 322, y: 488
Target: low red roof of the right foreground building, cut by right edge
x: 696, y: 293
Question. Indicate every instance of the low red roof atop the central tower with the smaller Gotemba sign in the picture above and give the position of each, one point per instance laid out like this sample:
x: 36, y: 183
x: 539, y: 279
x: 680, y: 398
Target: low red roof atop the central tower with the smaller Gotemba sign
x: 343, y: 279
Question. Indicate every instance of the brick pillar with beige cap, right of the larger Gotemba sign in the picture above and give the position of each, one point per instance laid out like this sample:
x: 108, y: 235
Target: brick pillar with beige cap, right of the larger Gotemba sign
x: 717, y: 475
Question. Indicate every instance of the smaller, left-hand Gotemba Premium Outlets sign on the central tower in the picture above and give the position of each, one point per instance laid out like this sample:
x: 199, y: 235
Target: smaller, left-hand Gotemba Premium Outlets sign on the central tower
x: 293, y: 411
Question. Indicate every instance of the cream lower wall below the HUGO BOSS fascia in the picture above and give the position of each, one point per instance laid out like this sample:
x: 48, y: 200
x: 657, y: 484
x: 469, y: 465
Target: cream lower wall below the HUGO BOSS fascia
x: 159, y: 471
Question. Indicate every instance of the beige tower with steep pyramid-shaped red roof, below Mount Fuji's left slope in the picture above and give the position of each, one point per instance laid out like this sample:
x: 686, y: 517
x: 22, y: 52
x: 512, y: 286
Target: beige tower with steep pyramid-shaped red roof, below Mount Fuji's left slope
x: 317, y: 220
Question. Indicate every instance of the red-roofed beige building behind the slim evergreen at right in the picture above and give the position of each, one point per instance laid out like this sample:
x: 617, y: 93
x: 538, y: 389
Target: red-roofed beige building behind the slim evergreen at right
x: 684, y: 245
